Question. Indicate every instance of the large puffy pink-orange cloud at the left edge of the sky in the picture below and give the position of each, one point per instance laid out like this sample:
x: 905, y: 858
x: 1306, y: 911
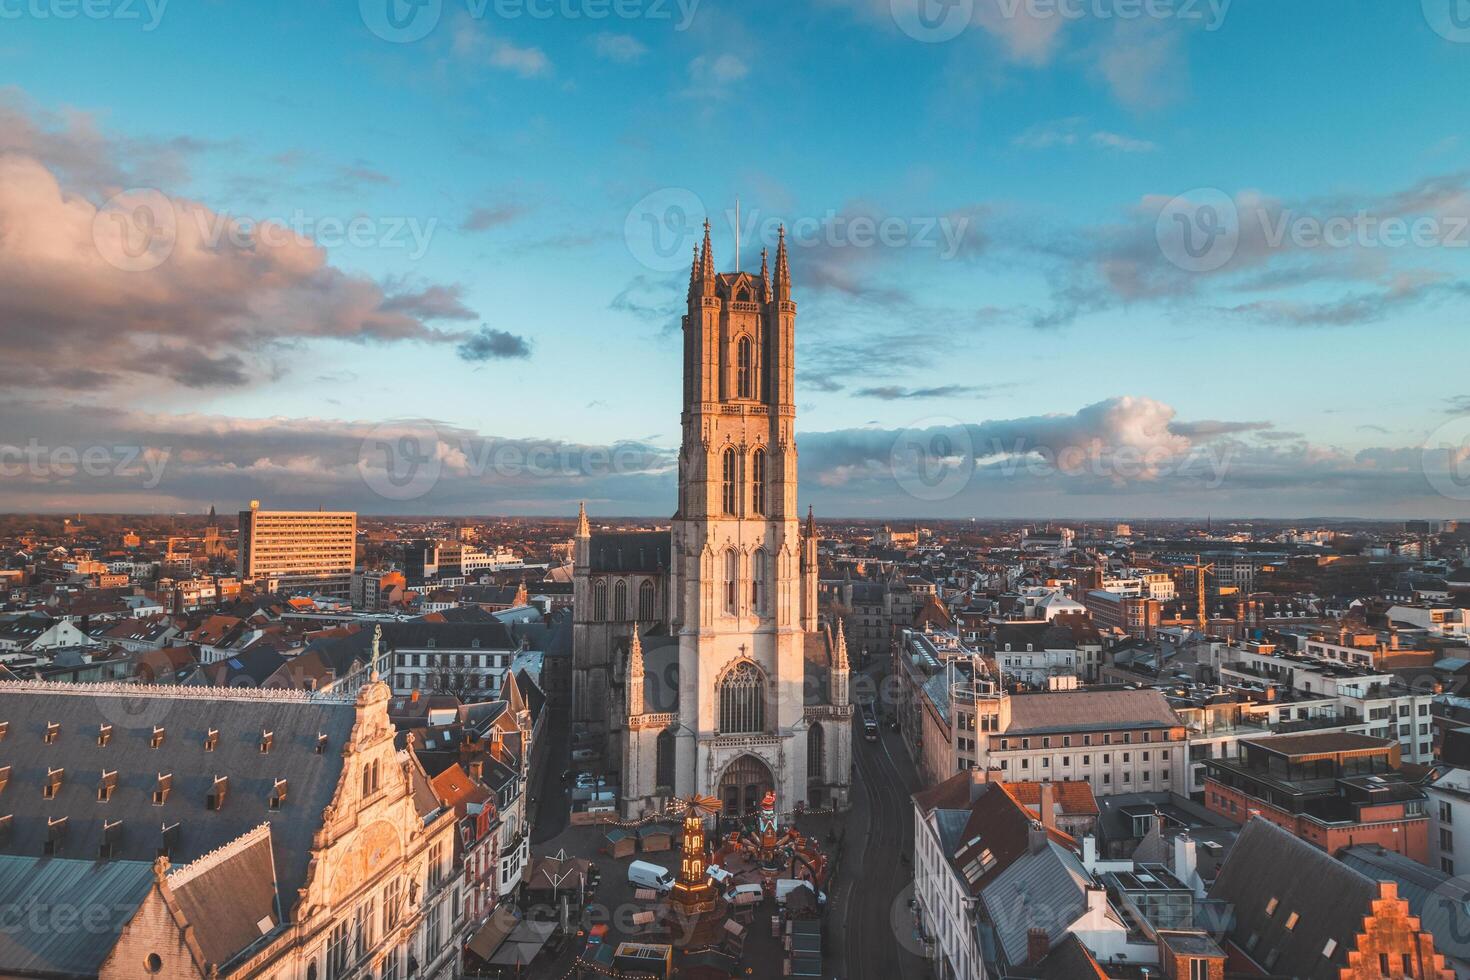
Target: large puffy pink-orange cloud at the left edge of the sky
x: 164, y: 289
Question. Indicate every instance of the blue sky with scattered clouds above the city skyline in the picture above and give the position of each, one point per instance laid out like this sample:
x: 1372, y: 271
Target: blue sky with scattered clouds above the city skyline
x: 506, y: 289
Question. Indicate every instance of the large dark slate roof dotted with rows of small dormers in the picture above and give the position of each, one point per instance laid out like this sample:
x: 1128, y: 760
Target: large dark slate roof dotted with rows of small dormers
x: 186, y: 715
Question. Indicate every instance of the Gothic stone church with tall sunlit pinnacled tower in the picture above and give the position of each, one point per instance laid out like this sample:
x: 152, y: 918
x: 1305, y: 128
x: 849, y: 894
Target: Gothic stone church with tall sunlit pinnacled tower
x: 699, y: 653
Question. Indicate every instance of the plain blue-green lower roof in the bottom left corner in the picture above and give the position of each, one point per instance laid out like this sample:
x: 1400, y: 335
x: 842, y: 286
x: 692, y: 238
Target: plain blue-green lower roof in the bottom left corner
x: 101, y: 894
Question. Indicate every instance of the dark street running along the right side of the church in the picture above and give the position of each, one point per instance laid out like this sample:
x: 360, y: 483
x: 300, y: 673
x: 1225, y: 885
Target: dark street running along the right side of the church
x: 872, y: 925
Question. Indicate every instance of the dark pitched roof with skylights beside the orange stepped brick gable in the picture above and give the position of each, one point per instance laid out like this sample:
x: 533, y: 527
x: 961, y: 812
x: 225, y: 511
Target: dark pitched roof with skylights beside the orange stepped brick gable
x: 1330, y: 898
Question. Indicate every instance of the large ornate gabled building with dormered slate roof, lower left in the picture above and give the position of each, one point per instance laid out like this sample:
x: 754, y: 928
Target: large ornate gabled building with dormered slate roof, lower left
x: 290, y: 838
